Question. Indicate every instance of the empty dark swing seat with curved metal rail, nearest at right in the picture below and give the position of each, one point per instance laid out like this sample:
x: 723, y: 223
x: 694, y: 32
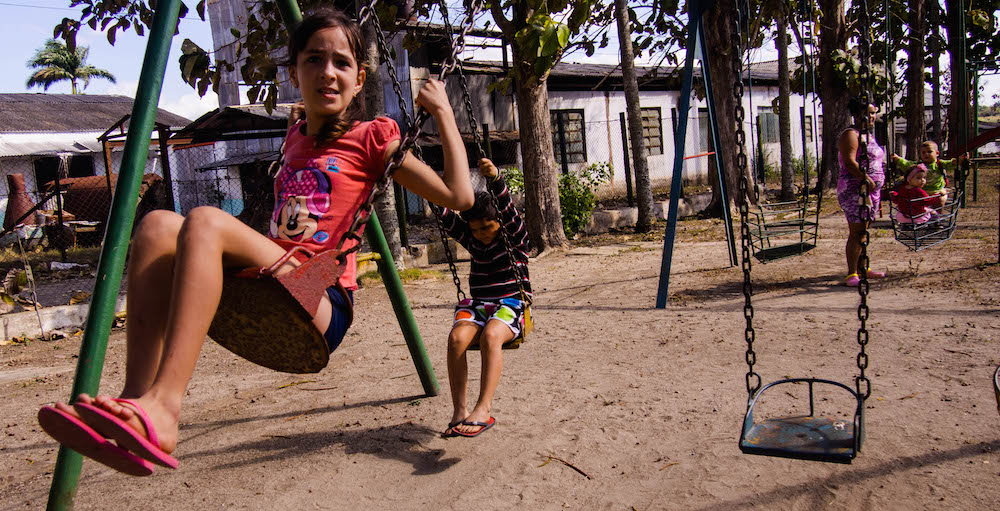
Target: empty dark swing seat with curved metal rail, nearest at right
x: 805, y: 437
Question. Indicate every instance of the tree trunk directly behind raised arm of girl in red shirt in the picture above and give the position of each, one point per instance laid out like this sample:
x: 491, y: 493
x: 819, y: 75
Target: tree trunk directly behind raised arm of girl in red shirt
x: 385, y: 203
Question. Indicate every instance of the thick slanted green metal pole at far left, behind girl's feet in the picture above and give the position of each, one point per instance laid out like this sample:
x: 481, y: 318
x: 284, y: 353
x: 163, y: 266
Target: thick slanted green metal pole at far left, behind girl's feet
x: 116, y: 239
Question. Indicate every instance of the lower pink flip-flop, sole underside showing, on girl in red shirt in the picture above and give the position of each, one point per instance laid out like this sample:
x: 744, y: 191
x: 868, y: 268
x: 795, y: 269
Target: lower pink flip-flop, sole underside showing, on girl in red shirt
x: 75, y: 434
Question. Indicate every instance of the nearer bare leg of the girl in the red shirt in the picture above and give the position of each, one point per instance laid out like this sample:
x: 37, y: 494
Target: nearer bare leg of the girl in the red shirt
x: 207, y: 240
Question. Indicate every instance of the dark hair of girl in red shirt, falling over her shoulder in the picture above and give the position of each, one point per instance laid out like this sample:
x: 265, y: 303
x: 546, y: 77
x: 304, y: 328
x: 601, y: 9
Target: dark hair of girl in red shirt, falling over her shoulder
x: 333, y: 127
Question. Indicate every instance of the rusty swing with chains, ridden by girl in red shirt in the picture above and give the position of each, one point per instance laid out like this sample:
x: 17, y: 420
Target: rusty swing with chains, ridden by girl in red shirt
x: 266, y: 318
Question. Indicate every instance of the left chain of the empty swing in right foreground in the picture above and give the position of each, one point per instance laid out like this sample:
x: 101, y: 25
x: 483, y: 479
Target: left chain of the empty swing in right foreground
x: 753, y: 380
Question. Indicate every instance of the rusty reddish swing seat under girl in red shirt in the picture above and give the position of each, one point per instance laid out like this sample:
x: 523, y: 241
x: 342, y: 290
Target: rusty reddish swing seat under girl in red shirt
x: 266, y: 319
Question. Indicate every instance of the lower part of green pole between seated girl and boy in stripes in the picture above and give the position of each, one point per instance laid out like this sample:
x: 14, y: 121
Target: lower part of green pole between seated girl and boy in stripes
x: 387, y: 268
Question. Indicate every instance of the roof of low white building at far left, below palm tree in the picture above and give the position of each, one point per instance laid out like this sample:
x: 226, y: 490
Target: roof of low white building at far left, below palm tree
x: 68, y: 113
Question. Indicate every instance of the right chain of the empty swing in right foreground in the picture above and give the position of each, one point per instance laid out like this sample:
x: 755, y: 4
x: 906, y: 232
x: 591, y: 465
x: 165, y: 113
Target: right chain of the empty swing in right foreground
x: 864, y: 77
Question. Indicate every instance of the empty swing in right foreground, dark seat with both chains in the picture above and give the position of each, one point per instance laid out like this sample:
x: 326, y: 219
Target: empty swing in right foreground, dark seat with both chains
x: 804, y: 436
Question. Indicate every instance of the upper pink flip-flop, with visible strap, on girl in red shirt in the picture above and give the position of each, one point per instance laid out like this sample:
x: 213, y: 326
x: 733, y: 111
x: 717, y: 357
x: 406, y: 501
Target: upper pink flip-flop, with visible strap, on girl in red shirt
x: 126, y: 437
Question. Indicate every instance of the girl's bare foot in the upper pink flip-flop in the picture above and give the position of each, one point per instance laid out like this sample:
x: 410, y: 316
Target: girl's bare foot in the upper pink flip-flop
x: 161, y: 420
